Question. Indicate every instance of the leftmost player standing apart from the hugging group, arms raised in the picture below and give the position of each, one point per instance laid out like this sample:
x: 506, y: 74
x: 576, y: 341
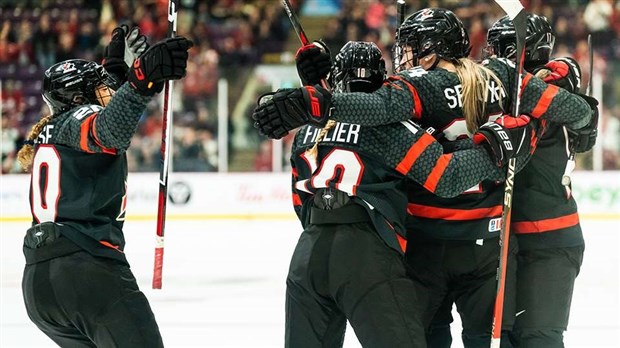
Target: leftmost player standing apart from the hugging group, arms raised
x: 77, y: 285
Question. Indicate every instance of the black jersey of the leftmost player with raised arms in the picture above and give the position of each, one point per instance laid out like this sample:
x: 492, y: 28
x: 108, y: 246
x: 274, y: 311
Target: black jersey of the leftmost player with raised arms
x: 79, y: 172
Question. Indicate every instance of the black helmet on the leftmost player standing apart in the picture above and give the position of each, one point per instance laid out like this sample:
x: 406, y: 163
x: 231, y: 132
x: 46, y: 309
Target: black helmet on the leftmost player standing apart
x: 74, y: 82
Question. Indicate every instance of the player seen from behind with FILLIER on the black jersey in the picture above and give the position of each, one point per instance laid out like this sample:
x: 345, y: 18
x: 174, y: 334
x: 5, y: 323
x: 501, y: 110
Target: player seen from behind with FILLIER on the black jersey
x: 348, y: 191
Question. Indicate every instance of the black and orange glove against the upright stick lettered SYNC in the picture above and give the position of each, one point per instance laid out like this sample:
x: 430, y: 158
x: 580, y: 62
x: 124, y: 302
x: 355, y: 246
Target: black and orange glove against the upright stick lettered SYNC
x: 506, y: 138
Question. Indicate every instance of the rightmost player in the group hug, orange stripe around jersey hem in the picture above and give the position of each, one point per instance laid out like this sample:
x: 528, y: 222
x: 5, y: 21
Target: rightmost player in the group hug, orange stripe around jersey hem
x: 544, y: 213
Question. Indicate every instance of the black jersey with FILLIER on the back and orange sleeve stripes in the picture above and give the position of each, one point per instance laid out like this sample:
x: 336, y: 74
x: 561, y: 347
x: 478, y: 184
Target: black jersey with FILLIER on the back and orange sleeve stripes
x: 370, y: 164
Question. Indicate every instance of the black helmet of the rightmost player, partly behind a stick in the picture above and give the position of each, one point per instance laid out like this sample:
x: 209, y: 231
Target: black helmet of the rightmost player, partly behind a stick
x: 539, y: 40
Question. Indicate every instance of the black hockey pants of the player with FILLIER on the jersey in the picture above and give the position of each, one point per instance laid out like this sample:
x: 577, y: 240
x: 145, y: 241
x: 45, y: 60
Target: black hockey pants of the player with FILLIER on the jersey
x: 345, y: 271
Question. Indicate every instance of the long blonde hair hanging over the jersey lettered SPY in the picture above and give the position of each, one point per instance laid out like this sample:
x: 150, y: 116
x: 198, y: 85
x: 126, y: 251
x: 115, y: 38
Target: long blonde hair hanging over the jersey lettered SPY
x: 475, y: 80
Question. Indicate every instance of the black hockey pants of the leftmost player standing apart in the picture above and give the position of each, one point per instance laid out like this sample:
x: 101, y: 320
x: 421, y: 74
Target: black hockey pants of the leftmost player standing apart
x: 79, y: 300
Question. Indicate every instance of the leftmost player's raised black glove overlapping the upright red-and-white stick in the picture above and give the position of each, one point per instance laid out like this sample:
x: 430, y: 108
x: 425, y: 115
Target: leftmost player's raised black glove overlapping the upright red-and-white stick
x: 166, y: 60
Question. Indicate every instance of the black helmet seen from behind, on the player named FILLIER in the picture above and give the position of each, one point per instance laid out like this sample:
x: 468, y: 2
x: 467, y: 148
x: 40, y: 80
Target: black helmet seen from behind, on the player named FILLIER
x: 358, y: 67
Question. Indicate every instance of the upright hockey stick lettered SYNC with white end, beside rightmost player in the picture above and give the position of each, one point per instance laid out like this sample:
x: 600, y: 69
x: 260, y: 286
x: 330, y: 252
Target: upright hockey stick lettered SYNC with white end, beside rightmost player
x: 516, y: 12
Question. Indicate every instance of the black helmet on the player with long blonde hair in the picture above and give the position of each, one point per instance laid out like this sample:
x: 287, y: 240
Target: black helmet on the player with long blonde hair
x: 432, y: 30
